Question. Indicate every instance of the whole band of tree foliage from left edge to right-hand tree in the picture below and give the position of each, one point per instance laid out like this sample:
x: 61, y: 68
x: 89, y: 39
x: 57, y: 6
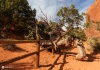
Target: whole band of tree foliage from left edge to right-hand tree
x: 18, y: 18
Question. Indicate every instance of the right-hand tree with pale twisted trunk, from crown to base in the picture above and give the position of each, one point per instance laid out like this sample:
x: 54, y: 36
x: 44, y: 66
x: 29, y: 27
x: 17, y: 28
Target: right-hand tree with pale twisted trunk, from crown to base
x: 71, y: 19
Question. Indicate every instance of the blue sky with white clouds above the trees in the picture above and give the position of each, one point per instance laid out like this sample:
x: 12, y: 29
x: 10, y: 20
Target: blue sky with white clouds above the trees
x: 50, y: 7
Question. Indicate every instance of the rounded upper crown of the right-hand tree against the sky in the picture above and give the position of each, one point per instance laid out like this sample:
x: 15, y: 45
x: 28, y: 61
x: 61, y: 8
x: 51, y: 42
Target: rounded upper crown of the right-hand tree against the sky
x: 70, y: 15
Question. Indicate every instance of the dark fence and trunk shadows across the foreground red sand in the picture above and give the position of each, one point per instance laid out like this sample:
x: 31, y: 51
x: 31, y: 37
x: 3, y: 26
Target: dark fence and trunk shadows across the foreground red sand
x: 27, y: 66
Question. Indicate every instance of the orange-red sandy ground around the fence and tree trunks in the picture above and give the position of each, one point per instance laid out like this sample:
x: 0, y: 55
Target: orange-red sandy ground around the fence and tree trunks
x: 48, y: 61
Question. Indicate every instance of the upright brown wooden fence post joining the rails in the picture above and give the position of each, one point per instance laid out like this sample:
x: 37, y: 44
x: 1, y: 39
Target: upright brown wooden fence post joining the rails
x: 38, y: 51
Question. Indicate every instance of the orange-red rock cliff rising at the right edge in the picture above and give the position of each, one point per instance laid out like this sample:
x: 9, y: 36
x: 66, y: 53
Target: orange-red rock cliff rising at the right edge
x: 93, y: 16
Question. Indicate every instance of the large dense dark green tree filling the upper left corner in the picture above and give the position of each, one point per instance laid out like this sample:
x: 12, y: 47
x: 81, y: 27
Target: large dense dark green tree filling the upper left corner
x: 16, y: 16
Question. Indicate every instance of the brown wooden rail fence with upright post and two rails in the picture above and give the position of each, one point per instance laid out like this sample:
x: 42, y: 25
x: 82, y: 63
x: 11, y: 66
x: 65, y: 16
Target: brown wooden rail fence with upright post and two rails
x: 37, y: 52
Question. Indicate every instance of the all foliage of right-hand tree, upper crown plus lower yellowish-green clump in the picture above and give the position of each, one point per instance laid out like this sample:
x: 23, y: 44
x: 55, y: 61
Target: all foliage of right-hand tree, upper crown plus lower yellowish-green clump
x: 71, y: 17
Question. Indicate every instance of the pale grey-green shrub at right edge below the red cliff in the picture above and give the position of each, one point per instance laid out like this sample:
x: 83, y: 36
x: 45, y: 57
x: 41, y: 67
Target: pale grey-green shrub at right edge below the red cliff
x: 94, y: 43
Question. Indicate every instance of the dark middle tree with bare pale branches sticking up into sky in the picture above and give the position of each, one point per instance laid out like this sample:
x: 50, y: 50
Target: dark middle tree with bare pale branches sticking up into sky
x: 50, y: 29
